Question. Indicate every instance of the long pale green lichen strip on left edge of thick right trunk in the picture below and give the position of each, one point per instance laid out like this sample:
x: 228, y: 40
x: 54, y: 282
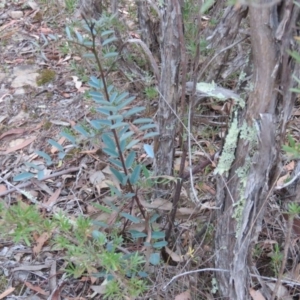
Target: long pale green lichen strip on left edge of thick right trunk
x: 228, y: 153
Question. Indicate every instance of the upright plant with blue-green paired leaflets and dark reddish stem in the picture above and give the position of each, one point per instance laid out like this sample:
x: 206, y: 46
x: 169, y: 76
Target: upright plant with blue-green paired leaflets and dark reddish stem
x: 116, y: 133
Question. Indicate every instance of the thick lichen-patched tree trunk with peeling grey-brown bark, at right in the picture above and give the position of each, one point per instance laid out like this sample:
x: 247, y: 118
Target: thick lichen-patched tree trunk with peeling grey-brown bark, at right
x: 244, y: 189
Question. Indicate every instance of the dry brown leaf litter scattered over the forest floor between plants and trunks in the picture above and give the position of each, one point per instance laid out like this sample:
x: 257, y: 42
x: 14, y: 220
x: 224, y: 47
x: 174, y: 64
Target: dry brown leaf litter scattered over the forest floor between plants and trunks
x: 29, y: 116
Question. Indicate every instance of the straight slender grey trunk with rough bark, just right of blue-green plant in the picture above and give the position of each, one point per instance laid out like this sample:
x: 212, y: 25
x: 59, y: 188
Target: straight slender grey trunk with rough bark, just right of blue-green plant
x: 168, y: 87
